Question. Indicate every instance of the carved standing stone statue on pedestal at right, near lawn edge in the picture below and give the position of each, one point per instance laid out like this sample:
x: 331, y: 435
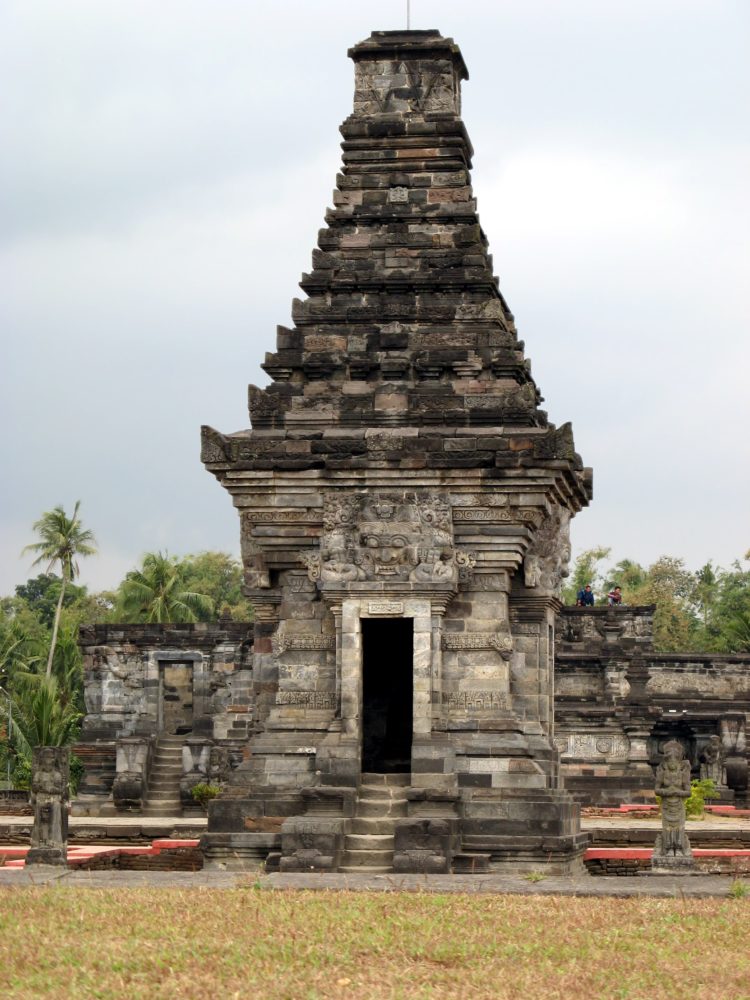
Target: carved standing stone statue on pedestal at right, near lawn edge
x: 672, y: 847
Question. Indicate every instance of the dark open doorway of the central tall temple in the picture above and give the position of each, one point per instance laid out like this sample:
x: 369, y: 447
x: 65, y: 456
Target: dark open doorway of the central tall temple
x: 387, y: 713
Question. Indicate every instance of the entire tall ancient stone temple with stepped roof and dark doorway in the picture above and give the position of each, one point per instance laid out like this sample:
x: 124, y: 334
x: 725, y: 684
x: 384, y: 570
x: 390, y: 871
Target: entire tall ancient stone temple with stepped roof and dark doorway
x: 404, y: 507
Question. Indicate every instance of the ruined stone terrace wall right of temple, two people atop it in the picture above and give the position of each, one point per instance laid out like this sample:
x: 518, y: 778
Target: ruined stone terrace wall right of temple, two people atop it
x: 617, y: 701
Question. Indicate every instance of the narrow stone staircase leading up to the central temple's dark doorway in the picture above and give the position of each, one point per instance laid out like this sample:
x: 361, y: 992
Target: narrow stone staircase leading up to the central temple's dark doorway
x: 381, y: 800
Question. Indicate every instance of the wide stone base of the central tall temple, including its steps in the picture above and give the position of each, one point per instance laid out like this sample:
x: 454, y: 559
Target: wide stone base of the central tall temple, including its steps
x: 402, y: 829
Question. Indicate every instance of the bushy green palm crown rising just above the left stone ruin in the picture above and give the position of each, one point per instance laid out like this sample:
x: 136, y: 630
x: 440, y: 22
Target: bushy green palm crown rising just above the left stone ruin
x: 157, y: 592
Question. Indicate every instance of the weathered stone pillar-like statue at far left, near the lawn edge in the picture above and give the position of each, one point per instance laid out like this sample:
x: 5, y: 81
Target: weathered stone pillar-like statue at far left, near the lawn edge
x: 50, y: 771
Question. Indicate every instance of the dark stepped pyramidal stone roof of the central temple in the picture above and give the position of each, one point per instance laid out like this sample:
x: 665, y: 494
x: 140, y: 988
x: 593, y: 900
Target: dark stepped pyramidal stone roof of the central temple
x: 404, y: 325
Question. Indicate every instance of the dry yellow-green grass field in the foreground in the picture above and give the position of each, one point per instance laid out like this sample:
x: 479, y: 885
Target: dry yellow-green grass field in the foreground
x: 248, y: 943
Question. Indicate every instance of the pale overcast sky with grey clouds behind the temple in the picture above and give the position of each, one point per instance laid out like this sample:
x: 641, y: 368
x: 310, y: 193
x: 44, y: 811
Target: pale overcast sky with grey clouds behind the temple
x: 166, y: 167
